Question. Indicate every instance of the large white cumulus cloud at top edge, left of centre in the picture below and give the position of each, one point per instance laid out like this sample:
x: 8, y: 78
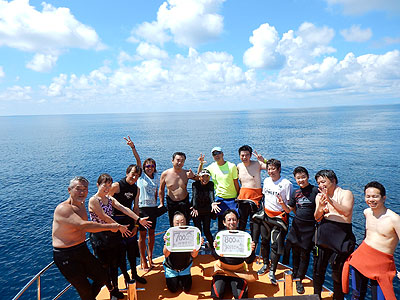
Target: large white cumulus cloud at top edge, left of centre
x: 187, y: 22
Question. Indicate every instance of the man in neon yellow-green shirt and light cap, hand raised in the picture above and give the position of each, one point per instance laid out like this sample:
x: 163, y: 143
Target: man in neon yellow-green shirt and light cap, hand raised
x: 225, y: 177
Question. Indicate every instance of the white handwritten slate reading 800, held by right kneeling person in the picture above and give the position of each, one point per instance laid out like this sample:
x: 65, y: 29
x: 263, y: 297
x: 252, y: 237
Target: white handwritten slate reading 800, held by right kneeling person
x: 233, y: 243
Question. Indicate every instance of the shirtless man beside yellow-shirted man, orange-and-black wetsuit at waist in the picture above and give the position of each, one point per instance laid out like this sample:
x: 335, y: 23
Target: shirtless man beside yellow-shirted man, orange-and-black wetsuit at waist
x: 249, y: 175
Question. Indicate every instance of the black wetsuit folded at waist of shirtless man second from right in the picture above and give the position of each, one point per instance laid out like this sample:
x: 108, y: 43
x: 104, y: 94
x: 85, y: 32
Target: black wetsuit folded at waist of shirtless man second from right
x: 335, y: 242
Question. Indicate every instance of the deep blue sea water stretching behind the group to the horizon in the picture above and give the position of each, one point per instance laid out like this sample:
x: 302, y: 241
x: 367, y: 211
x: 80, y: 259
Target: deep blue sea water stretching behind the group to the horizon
x: 40, y: 154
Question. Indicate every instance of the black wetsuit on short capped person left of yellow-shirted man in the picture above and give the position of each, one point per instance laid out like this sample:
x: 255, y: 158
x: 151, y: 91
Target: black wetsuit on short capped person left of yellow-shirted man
x: 202, y: 197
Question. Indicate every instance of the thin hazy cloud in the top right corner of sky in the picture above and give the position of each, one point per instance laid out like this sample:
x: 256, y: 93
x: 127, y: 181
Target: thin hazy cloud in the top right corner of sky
x: 358, y: 7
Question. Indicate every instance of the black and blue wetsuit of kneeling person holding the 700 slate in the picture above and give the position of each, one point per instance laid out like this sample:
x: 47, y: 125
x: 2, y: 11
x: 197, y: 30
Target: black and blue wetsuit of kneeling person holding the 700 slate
x: 177, y: 271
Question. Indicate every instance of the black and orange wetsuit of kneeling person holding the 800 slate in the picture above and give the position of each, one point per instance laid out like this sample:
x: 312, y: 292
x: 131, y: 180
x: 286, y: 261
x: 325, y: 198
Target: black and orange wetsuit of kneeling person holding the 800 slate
x: 238, y: 285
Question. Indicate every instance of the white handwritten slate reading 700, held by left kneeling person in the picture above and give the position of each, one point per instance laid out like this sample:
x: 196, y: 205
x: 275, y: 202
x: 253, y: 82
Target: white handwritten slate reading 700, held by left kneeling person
x: 183, y: 239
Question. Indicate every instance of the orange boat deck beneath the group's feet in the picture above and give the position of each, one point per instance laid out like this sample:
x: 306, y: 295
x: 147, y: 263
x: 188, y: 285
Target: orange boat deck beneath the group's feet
x: 201, y: 274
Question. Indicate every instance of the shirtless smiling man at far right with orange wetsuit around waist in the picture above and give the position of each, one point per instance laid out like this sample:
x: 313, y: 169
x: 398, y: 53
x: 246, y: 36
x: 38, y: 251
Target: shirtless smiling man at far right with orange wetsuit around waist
x: 373, y: 260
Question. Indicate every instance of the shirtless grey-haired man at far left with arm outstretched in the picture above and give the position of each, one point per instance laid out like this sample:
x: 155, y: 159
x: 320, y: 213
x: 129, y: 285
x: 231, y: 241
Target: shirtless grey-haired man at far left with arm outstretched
x: 71, y: 255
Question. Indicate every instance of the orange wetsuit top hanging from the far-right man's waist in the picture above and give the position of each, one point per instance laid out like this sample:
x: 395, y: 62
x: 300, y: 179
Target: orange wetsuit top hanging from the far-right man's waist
x: 373, y: 264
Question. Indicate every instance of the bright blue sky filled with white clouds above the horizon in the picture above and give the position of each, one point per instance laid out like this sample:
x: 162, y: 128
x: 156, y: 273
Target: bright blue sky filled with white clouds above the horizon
x: 127, y: 56
